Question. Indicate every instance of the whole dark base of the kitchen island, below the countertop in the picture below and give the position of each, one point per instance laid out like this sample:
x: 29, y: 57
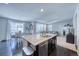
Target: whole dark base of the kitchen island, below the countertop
x: 45, y: 48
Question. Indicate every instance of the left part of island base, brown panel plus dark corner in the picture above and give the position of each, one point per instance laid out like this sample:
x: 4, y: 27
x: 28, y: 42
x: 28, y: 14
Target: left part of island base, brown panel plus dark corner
x: 42, y: 49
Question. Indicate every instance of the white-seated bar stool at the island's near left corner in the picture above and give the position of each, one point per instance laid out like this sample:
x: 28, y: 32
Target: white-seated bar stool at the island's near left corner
x: 27, y: 51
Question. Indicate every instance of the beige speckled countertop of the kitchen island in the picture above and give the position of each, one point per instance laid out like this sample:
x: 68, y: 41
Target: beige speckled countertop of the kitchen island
x: 37, y: 39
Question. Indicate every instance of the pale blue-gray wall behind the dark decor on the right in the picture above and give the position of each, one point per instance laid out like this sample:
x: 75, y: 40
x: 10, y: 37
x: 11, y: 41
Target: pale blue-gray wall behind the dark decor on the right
x: 59, y: 26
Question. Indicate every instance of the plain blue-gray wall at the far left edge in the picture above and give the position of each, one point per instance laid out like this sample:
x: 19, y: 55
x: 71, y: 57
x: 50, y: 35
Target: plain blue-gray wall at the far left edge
x: 3, y: 29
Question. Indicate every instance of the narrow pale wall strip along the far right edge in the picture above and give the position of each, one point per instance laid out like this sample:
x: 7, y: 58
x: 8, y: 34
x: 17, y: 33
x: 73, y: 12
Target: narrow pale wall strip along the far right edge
x: 76, y: 27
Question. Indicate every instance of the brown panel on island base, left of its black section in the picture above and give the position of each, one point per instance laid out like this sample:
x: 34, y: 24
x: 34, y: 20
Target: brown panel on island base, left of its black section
x: 43, y: 49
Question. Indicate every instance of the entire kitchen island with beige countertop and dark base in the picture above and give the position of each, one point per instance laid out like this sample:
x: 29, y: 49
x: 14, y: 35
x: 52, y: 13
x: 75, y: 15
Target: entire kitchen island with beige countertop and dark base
x: 42, y: 45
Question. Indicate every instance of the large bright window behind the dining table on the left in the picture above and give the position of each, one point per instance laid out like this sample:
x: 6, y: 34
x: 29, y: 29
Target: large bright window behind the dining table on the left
x: 16, y: 27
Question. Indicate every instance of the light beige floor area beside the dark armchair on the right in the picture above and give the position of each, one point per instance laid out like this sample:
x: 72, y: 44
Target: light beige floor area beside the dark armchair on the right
x: 61, y: 41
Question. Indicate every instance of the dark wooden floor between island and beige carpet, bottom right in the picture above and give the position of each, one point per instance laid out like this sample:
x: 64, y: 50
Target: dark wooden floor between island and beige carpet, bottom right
x: 60, y: 51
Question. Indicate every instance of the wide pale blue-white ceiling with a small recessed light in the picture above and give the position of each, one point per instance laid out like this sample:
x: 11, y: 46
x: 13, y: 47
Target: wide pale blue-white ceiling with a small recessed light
x: 53, y: 12
